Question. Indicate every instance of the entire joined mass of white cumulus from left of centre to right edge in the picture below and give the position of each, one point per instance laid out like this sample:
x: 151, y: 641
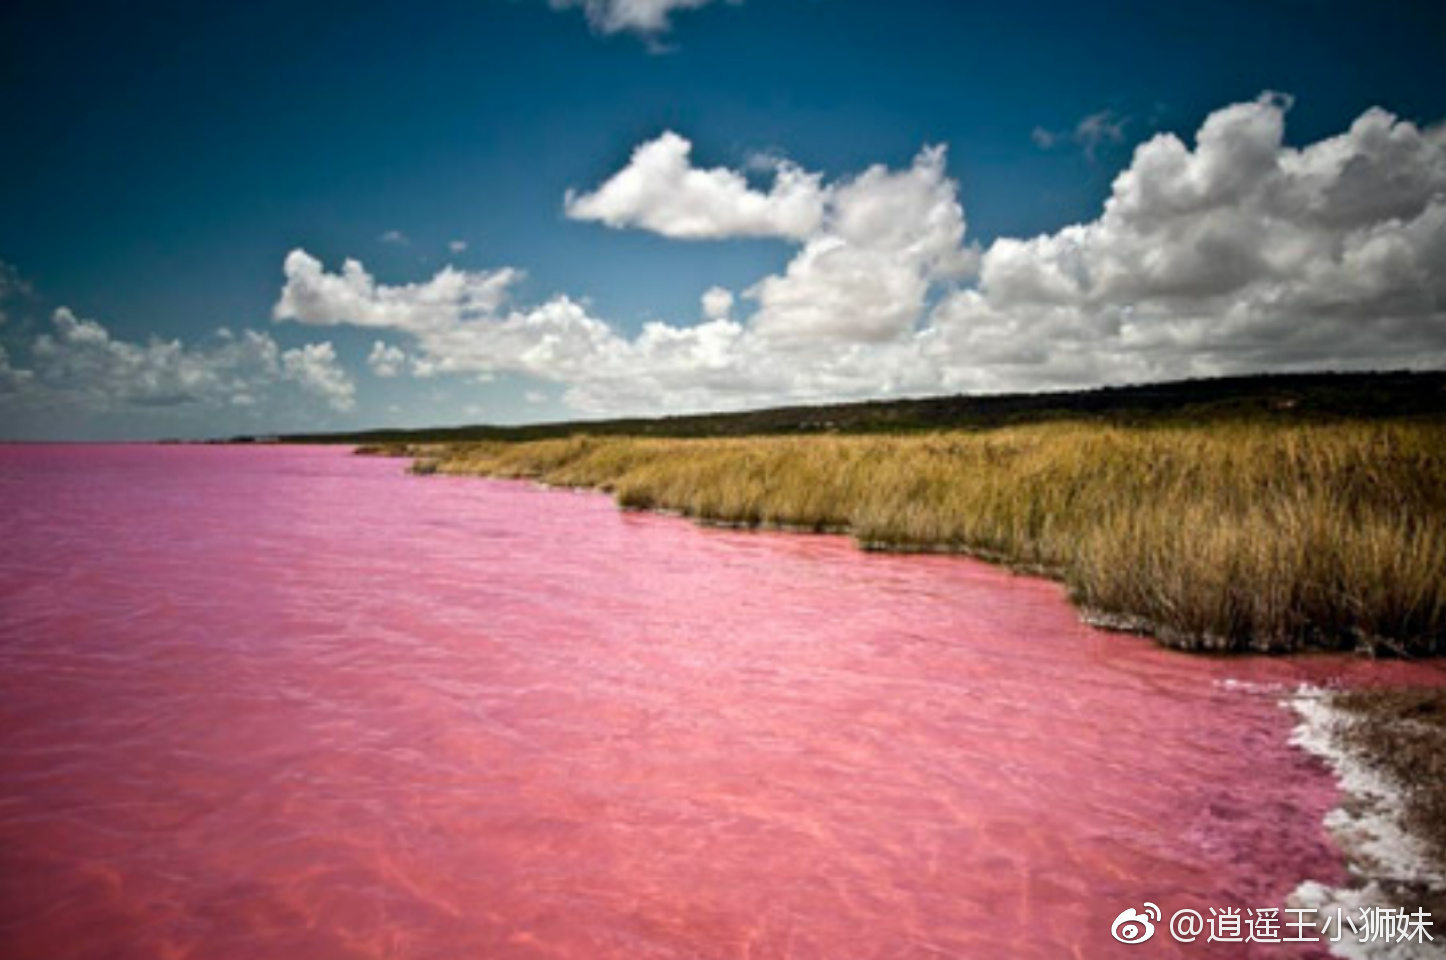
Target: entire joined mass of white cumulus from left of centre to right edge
x: 1227, y: 255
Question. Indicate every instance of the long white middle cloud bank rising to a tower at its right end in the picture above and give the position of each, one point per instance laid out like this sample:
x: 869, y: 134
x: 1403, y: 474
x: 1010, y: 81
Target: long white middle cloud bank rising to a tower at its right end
x: 884, y: 241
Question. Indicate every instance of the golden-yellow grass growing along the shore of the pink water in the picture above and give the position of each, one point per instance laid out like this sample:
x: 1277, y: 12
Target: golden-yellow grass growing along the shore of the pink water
x: 1224, y: 537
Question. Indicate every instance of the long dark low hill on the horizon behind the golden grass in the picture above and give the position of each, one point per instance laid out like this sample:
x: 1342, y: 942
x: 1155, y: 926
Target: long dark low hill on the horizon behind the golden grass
x: 1291, y: 398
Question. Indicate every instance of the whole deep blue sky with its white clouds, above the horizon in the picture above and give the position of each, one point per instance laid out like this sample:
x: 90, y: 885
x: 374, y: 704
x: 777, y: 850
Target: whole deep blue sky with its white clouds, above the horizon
x: 164, y: 161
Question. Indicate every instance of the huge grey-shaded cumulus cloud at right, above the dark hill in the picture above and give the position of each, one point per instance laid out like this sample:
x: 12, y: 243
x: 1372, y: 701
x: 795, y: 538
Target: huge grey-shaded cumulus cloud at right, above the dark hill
x: 1237, y: 255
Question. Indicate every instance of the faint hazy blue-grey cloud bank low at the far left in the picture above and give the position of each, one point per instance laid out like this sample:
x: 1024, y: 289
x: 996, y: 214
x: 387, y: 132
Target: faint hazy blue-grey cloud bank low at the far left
x: 79, y: 364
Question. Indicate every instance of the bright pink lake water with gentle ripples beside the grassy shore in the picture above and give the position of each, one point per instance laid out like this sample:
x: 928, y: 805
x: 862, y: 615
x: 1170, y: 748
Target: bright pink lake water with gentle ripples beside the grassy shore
x: 297, y: 705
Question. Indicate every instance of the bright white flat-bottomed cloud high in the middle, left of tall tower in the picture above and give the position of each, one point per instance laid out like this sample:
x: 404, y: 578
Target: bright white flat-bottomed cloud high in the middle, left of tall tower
x: 663, y: 192
